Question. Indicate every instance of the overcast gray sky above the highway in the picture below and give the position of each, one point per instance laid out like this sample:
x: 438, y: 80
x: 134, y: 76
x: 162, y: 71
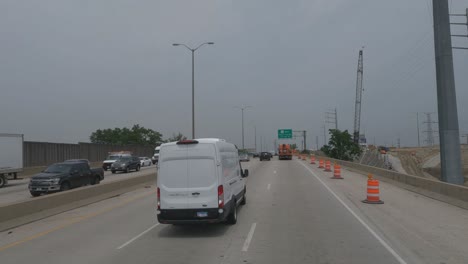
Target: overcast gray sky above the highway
x: 68, y: 68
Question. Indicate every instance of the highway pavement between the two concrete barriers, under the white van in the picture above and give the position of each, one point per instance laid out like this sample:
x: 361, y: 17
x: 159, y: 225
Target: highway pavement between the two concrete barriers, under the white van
x: 294, y: 214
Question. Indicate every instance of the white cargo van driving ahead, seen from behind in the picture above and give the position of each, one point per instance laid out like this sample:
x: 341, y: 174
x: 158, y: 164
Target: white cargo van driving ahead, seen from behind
x: 199, y: 181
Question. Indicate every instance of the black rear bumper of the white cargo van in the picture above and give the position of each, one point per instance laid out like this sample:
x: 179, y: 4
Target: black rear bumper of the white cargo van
x: 189, y: 216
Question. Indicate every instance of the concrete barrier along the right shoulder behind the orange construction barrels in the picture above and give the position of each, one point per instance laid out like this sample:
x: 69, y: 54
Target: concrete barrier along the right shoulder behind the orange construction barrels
x: 450, y: 193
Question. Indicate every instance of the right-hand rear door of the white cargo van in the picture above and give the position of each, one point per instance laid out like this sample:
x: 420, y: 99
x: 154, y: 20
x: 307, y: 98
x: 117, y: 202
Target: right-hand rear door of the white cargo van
x: 202, y: 184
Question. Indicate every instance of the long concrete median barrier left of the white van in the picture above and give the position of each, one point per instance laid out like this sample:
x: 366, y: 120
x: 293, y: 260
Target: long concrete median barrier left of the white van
x: 20, y: 213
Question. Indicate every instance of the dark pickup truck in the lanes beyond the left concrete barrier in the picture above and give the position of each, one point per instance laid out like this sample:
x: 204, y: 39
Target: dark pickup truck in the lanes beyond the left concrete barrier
x: 64, y: 176
